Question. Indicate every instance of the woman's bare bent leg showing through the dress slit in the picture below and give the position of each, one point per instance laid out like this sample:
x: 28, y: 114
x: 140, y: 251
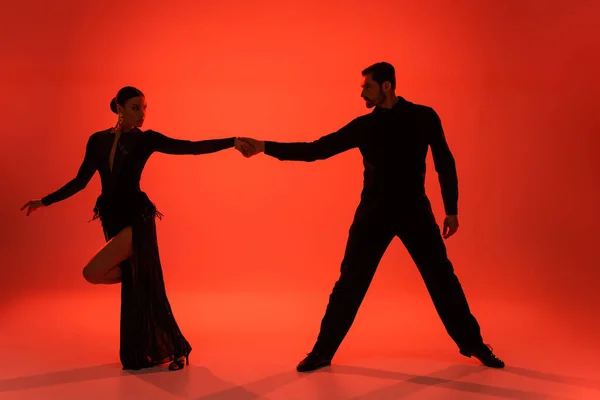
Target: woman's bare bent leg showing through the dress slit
x: 104, y: 268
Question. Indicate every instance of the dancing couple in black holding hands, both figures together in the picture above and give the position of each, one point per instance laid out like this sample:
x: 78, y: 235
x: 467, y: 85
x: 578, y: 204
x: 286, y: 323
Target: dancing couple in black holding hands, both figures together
x: 393, y: 138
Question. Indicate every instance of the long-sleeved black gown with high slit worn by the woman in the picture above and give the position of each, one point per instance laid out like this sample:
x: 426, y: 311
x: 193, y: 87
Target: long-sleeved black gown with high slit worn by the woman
x: 149, y: 333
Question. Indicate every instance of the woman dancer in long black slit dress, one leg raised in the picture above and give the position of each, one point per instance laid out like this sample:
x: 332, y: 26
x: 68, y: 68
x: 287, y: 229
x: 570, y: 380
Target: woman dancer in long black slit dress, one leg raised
x: 149, y: 334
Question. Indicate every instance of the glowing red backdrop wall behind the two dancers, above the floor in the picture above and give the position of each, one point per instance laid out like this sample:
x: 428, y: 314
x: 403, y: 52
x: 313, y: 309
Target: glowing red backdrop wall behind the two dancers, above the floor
x: 514, y: 82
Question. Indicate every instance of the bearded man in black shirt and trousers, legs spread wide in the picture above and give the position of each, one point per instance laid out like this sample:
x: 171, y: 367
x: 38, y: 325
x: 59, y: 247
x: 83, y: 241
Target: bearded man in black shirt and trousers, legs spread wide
x: 393, y: 139
